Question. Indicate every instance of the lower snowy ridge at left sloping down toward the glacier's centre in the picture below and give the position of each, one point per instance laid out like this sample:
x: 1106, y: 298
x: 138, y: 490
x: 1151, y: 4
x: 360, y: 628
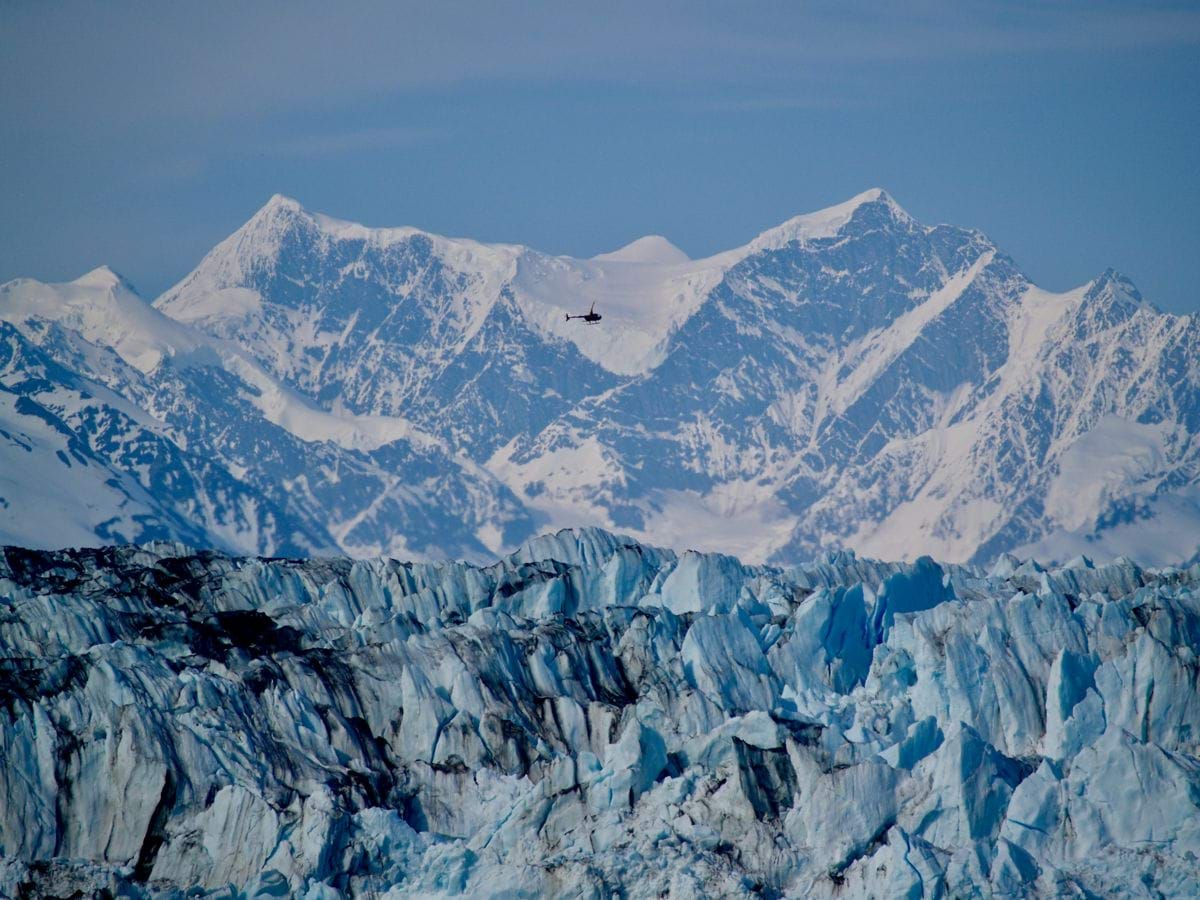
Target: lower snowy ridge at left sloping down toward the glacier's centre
x: 119, y: 424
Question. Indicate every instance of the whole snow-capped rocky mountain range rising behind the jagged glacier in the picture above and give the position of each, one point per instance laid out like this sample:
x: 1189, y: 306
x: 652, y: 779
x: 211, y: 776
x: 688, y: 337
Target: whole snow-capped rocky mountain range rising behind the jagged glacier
x: 851, y: 379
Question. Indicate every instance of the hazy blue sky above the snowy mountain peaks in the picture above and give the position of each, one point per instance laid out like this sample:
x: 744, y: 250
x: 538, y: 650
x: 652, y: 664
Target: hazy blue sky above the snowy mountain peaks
x: 140, y: 135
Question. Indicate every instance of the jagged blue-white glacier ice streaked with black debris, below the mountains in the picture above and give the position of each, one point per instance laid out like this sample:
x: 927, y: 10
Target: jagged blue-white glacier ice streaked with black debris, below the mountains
x: 596, y: 717
